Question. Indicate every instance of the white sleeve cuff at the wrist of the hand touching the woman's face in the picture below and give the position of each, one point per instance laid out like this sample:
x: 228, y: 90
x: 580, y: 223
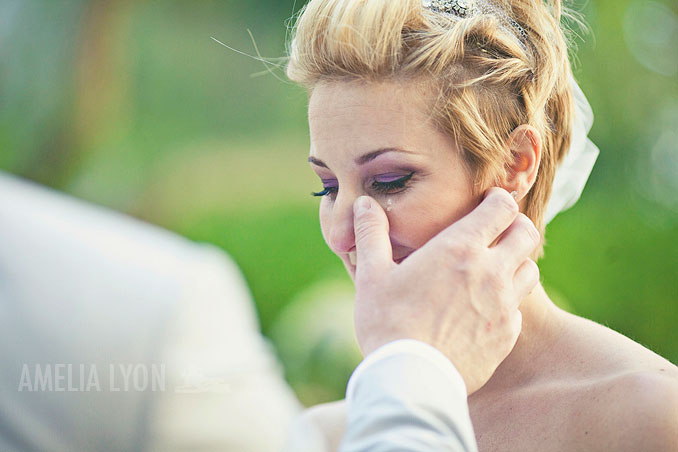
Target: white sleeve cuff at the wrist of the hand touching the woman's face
x: 407, y: 396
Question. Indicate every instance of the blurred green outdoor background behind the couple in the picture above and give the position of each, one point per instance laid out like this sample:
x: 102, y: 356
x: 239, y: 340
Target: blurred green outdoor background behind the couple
x: 132, y: 105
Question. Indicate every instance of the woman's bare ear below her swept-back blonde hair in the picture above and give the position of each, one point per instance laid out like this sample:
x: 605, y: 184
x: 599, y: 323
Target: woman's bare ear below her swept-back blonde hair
x: 525, y: 145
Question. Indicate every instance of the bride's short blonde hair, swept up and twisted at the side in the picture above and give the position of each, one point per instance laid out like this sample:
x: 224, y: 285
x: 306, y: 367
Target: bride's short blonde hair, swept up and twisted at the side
x: 487, y: 79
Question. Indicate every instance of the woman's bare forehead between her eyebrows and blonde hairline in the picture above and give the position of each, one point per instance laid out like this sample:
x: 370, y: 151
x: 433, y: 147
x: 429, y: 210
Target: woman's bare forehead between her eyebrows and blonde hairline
x: 364, y: 116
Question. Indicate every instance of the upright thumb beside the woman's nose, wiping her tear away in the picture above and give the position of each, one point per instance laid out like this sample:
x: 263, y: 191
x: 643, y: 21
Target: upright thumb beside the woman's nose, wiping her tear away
x: 373, y: 246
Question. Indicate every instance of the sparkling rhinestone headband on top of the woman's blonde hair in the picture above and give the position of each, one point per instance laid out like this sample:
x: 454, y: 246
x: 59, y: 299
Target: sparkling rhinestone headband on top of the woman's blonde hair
x: 469, y: 8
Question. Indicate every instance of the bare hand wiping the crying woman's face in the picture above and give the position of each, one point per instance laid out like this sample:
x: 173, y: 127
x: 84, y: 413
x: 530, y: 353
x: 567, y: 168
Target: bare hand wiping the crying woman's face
x: 458, y: 293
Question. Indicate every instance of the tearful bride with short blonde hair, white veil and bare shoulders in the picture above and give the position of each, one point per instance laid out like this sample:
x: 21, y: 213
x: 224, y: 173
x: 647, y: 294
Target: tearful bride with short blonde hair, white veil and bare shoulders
x: 423, y: 106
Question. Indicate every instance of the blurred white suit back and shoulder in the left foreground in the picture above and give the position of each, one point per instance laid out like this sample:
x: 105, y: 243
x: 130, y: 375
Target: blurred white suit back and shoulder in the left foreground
x: 106, y: 293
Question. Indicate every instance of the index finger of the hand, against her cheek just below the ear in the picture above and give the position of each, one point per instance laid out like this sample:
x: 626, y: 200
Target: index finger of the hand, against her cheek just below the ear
x: 489, y: 219
